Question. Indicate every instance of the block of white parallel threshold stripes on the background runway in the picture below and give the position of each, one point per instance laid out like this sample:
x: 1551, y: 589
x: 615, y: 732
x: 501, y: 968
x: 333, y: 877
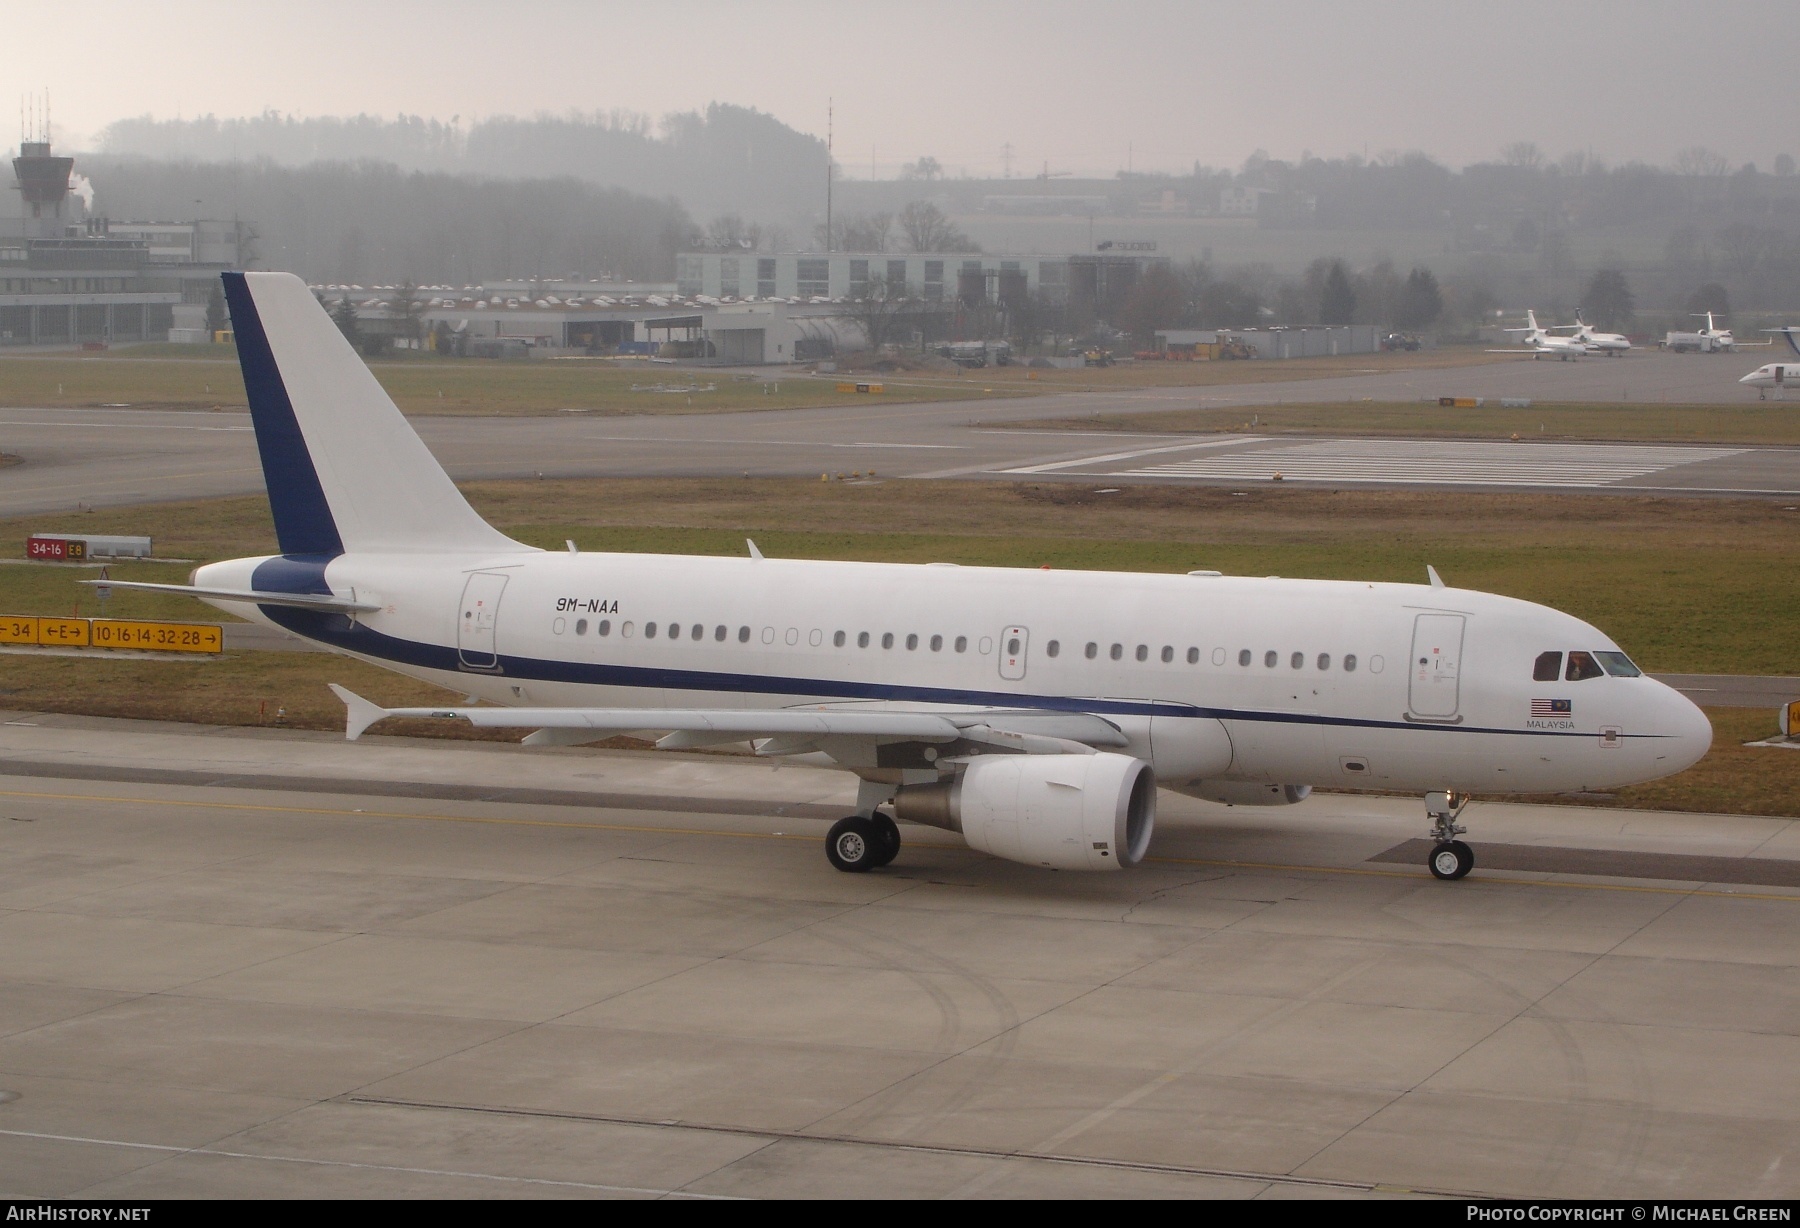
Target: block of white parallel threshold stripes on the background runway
x: 1462, y: 464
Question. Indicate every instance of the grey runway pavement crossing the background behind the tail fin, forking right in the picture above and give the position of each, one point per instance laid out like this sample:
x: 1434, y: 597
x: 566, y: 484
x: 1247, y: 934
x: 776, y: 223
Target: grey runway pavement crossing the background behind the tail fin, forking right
x: 132, y: 456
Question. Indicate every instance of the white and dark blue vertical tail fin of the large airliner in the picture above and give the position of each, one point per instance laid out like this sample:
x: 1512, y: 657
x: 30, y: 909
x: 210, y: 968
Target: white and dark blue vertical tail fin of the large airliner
x: 345, y: 469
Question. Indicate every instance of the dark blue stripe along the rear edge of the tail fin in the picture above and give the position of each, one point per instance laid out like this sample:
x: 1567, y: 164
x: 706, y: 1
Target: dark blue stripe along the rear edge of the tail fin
x: 296, y: 498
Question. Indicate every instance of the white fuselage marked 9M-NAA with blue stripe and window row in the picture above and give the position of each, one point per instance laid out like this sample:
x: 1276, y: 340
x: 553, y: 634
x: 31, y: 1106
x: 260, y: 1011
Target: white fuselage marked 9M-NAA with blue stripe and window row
x: 1210, y: 678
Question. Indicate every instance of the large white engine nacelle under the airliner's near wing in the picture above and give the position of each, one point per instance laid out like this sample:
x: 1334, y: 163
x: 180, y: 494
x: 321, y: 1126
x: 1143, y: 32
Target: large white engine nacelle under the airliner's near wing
x: 1059, y: 811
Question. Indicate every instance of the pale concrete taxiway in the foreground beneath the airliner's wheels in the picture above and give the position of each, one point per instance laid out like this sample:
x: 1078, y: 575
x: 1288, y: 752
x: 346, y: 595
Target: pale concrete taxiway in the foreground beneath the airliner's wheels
x: 274, y: 964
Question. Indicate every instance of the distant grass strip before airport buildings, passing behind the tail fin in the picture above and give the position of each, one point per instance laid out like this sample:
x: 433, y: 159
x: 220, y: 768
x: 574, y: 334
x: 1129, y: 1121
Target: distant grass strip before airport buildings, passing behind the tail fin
x: 210, y: 379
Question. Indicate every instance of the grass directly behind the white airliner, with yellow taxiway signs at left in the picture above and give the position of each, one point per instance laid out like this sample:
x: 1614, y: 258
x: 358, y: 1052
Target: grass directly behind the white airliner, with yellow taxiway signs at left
x: 1684, y: 586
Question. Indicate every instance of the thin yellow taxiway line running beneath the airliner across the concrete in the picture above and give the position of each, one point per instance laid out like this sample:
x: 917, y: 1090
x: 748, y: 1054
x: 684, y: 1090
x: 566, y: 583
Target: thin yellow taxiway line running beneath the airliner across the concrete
x: 1363, y: 872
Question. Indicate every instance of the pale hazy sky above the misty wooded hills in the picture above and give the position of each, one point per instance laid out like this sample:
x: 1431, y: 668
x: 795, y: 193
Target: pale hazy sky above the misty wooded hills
x: 1084, y: 87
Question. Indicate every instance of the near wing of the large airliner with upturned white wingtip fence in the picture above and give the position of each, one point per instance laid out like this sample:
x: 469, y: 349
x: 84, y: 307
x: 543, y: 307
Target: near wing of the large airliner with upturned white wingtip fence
x: 778, y: 730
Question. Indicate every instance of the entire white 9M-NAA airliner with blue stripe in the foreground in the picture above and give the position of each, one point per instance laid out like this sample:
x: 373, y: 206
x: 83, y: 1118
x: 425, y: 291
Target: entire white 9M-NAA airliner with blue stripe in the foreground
x: 1036, y: 712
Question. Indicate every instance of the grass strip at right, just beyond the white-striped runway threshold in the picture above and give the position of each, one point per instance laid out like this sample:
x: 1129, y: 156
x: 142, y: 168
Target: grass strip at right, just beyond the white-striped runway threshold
x: 1754, y: 422
